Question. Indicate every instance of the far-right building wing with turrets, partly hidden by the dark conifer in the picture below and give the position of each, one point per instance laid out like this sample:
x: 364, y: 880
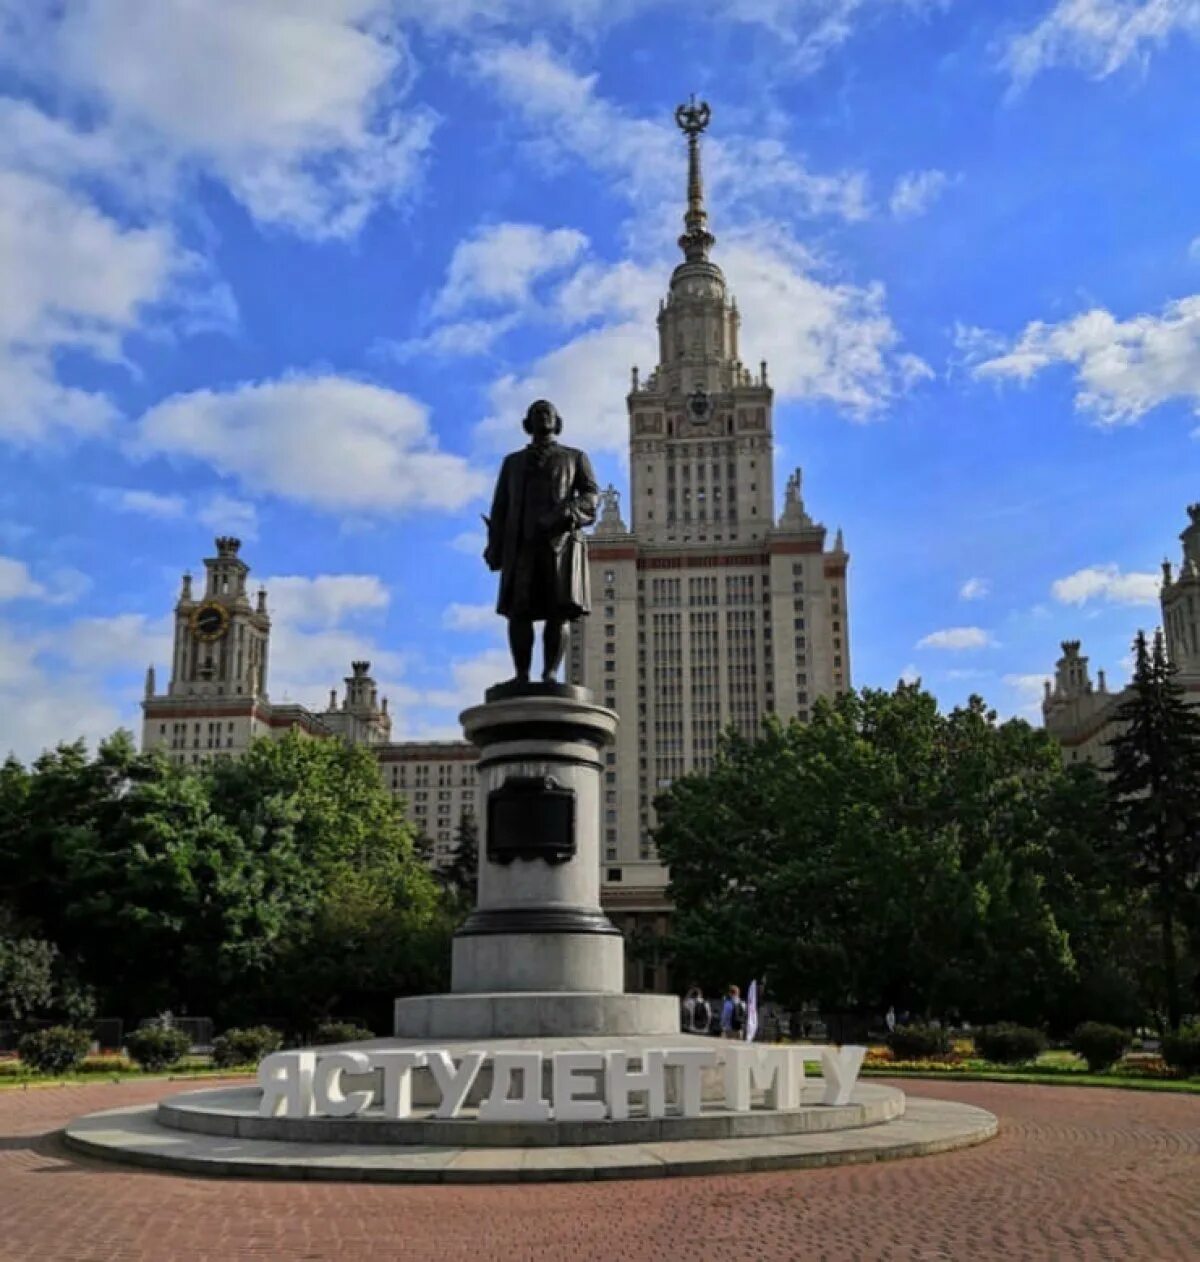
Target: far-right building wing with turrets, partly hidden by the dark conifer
x: 1079, y: 715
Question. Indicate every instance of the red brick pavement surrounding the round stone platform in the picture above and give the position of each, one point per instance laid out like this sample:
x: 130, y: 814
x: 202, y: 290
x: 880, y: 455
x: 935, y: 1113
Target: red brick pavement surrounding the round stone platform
x: 1073, y: 1174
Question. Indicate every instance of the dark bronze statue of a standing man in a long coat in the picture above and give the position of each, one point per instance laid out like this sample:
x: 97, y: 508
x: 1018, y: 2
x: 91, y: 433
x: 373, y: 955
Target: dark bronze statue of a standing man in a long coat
x: 546, y: 494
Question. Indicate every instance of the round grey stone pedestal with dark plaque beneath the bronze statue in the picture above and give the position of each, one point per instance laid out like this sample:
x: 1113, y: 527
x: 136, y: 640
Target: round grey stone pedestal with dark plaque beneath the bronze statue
x: 538, y: 923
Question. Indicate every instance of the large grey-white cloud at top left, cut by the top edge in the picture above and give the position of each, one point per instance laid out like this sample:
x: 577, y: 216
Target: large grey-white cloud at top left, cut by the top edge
x: 298, y: 109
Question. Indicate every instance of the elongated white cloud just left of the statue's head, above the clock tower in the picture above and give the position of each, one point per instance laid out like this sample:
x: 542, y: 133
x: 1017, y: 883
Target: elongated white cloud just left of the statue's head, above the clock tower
x: 326, y: 441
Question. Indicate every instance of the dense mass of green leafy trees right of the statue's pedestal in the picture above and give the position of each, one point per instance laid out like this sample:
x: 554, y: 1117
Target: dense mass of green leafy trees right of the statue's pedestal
x: 880, y: 855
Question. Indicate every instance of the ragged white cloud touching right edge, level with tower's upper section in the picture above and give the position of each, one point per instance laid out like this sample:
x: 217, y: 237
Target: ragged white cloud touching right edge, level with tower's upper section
x: 1124, y: 369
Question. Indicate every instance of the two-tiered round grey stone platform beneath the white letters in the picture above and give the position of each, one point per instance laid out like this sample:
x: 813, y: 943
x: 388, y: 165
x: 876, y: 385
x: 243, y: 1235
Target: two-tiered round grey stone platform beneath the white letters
x: 876, y: 1126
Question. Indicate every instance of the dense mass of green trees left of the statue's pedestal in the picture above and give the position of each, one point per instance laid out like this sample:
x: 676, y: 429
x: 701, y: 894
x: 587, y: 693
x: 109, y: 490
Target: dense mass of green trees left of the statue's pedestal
x: 272, y: 885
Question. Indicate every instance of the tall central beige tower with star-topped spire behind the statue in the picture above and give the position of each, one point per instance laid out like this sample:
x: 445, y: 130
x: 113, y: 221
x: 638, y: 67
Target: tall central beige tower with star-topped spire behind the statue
x: 709, y: 611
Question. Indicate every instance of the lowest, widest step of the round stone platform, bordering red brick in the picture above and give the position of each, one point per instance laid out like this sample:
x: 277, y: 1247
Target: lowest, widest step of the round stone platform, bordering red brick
x: 132, y: 1136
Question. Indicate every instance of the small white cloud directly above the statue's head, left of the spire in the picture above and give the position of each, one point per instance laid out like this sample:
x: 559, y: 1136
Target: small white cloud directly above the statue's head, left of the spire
x: 502, y: 263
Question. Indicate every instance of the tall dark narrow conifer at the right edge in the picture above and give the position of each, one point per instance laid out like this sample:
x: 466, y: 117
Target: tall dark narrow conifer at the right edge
x: 1156, y: 788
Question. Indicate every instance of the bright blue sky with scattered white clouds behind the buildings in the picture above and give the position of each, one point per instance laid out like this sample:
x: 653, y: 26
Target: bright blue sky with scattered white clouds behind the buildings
x: 295, y: 271
